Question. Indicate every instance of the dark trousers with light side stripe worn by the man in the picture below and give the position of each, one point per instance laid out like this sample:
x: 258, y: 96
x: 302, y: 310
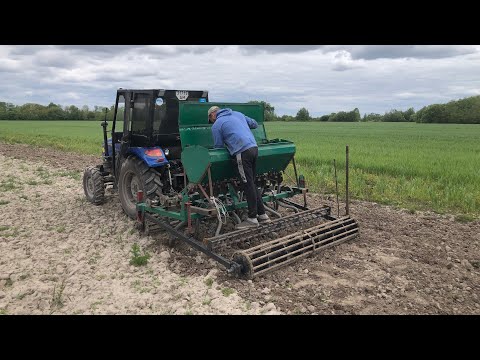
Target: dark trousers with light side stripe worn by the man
x: 247, y: 162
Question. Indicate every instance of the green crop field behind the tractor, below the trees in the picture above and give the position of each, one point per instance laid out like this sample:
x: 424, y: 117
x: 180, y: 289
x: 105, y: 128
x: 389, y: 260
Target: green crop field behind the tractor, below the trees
x: 415, y: 166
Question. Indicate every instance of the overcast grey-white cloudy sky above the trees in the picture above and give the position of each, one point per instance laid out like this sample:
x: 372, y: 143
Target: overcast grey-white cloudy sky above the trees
x: 323, y: 78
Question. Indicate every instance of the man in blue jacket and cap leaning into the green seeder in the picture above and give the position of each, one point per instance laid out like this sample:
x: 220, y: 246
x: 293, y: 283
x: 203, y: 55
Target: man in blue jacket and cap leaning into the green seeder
x: 232, y: 128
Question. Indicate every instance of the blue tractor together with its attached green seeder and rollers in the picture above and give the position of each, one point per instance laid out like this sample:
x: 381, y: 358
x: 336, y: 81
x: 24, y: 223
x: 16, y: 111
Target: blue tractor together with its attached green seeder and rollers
x: 169, y: 177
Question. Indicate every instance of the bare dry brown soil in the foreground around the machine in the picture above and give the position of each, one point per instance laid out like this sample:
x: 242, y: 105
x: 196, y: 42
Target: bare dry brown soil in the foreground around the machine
x: 60, y: 254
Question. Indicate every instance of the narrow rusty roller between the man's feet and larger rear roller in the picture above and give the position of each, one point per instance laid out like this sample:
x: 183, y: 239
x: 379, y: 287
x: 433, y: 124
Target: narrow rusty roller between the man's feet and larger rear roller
x: 283, y: 223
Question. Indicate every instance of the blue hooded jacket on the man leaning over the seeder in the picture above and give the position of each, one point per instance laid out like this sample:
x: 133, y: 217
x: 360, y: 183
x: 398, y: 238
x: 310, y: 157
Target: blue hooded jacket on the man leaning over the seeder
x: 233, y: 129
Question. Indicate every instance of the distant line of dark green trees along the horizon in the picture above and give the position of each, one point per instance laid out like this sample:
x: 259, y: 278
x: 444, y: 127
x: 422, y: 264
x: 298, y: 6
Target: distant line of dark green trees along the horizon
x: 463, y: 111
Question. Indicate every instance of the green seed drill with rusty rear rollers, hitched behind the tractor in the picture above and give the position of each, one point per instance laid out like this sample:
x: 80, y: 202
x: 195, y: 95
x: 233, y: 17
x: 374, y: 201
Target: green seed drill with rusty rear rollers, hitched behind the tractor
x: 212, y: 181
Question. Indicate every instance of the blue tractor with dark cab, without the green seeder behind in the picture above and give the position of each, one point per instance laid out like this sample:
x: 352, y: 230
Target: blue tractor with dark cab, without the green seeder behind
x: 147, y: 152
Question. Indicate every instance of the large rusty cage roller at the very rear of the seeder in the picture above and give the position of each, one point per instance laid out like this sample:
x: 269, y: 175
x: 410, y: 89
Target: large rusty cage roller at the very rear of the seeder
x: 271, y: 255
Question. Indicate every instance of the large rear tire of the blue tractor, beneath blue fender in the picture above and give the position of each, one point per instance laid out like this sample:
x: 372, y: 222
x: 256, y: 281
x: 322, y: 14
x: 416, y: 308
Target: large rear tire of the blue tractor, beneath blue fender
x: 136, y: 175
